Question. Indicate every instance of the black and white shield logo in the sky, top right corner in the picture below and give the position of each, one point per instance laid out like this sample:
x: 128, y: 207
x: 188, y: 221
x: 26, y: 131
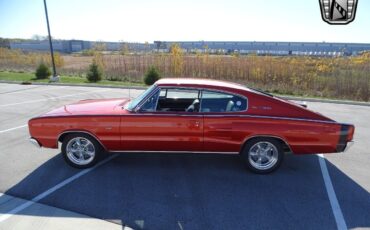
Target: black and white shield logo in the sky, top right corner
x: 338, y: 12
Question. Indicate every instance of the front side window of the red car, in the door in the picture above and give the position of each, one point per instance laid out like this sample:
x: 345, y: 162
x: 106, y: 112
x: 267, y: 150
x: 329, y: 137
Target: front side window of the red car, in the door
x: 178, y: 100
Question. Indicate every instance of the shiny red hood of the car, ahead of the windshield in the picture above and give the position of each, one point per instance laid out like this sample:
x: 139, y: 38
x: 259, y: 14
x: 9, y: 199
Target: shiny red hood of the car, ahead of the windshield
x: 90, y: 107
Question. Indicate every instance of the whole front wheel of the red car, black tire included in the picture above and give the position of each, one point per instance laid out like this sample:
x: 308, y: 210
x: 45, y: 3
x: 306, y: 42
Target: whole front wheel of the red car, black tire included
x: 81, y: 150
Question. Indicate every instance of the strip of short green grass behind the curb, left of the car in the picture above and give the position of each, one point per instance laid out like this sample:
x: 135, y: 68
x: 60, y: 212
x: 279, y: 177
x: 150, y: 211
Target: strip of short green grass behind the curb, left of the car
x: 30, y: 77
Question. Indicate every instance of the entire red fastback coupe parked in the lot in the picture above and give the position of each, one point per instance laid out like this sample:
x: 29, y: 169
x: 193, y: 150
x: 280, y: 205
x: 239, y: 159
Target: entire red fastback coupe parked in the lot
x: 190, y: 115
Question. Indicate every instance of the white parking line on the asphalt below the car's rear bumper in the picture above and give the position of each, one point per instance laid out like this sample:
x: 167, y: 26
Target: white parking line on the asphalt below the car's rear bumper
x: 338, y: 215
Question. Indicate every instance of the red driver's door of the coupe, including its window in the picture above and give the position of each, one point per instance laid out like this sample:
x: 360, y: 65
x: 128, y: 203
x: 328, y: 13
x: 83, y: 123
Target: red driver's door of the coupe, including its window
x: 168, y: 120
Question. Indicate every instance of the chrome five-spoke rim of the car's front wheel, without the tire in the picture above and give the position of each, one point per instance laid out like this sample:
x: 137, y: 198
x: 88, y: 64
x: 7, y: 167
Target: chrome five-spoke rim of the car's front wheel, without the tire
x: 80, y: 151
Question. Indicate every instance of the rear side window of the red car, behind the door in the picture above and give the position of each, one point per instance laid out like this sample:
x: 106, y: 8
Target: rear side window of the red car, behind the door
x: 213, y: 101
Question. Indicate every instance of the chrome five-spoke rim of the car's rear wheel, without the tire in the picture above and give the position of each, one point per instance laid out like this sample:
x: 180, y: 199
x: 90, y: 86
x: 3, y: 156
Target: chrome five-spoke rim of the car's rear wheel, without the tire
x: 263, y: 155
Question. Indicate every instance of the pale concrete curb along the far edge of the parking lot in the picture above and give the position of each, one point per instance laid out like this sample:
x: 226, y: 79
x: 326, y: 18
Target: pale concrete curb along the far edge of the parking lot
x: 346, y: 102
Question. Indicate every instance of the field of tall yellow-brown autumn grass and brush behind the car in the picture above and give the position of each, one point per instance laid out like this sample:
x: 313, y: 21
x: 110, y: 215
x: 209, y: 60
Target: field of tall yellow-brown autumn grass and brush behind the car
x: 333, y: 77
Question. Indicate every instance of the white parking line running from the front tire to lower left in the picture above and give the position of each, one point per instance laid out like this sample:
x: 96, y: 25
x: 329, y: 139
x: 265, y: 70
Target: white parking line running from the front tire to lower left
x: 26, y: 204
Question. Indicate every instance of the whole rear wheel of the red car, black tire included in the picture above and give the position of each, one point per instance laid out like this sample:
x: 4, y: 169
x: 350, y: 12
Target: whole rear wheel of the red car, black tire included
x: 263, y: 155
